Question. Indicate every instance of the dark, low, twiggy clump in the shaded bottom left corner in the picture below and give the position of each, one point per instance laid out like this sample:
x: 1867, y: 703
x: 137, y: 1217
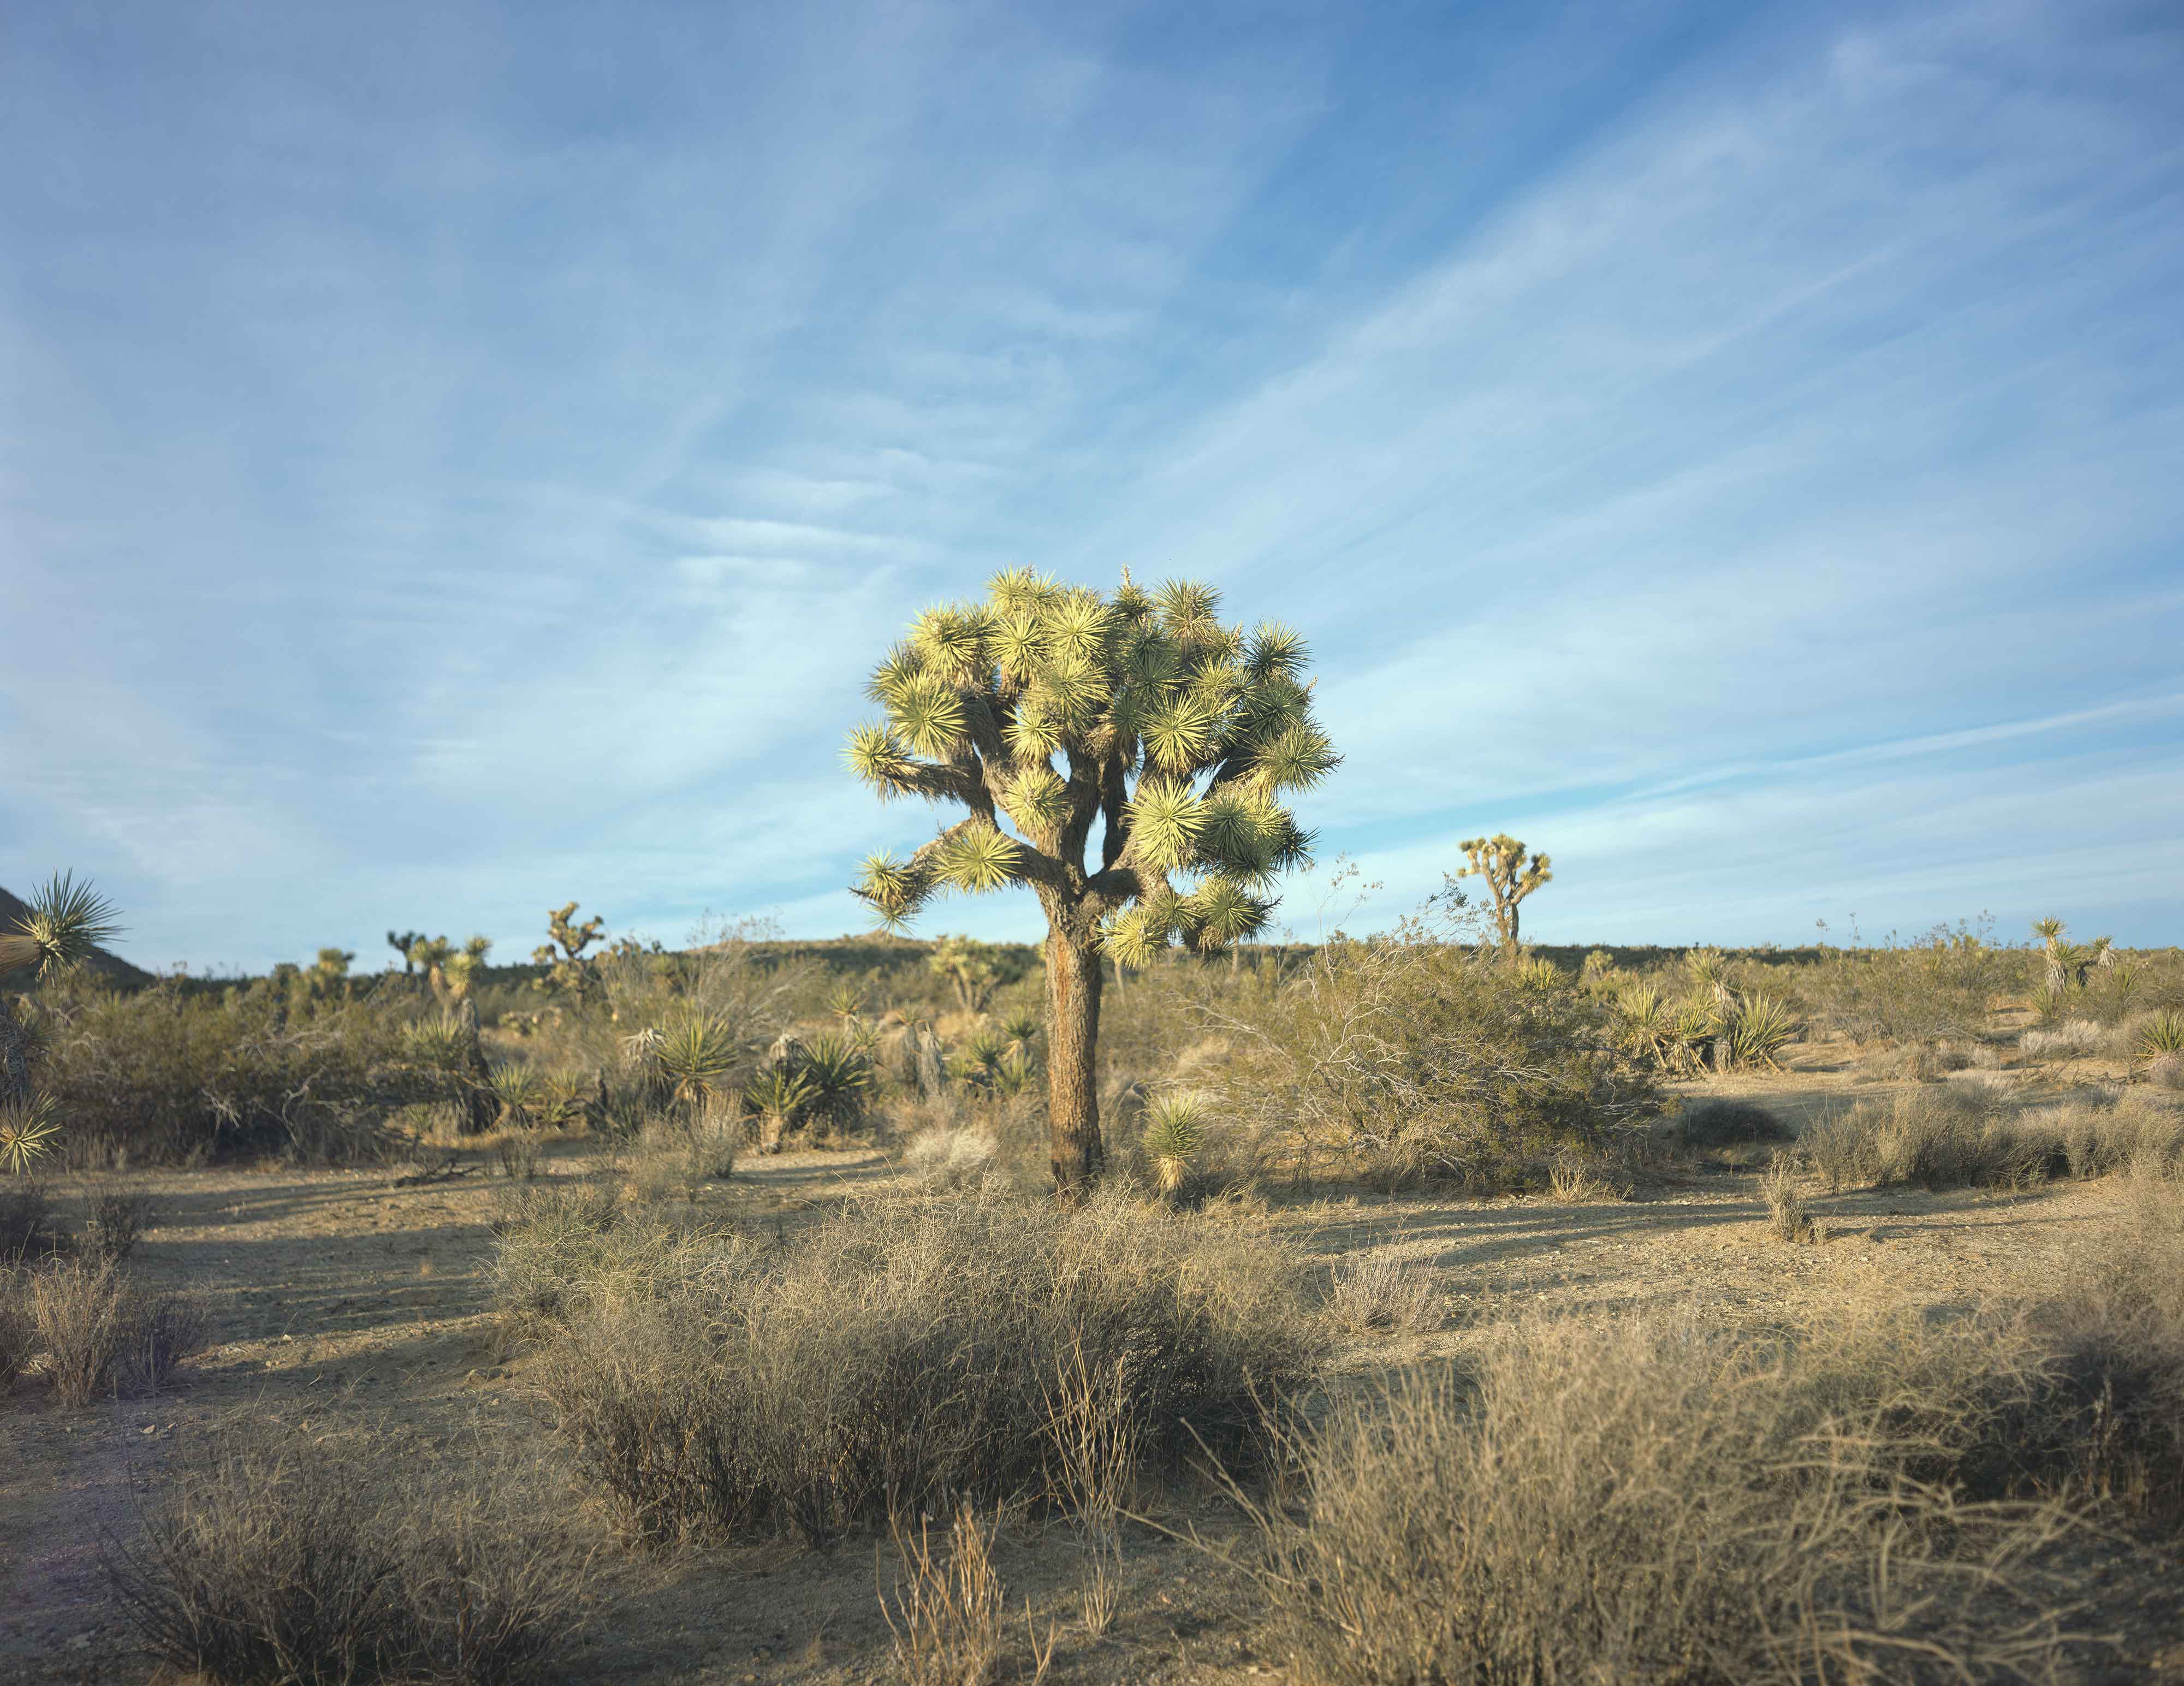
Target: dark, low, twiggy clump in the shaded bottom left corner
x: 272, y: 1563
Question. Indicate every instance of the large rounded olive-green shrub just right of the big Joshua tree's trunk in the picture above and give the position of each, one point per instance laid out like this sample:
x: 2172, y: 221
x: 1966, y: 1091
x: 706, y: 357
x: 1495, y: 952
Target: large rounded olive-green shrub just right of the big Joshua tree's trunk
x: 1416, y: 1058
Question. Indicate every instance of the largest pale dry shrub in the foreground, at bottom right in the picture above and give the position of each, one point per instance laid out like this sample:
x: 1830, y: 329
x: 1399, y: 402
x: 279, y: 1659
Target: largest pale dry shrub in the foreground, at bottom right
x: 1659, y: 1499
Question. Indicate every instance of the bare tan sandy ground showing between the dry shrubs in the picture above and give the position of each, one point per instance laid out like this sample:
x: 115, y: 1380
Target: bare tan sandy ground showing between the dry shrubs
x: 344, y: 1298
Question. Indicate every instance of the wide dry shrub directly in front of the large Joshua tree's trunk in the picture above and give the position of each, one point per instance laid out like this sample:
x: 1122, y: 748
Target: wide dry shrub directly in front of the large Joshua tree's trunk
x: 903, y: 1353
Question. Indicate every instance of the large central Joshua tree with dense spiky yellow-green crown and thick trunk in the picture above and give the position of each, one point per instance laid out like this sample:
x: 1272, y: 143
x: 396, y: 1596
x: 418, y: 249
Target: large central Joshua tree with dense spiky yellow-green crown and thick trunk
x: 1047, y: 709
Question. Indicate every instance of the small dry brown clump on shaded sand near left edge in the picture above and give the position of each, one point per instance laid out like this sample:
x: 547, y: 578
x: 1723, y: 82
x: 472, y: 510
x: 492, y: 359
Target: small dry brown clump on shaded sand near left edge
x: 102, y: 1335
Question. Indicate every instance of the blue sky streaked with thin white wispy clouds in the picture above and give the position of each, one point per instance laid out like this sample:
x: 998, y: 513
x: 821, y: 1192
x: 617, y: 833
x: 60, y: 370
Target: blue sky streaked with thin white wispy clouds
x: 462, y: 458
